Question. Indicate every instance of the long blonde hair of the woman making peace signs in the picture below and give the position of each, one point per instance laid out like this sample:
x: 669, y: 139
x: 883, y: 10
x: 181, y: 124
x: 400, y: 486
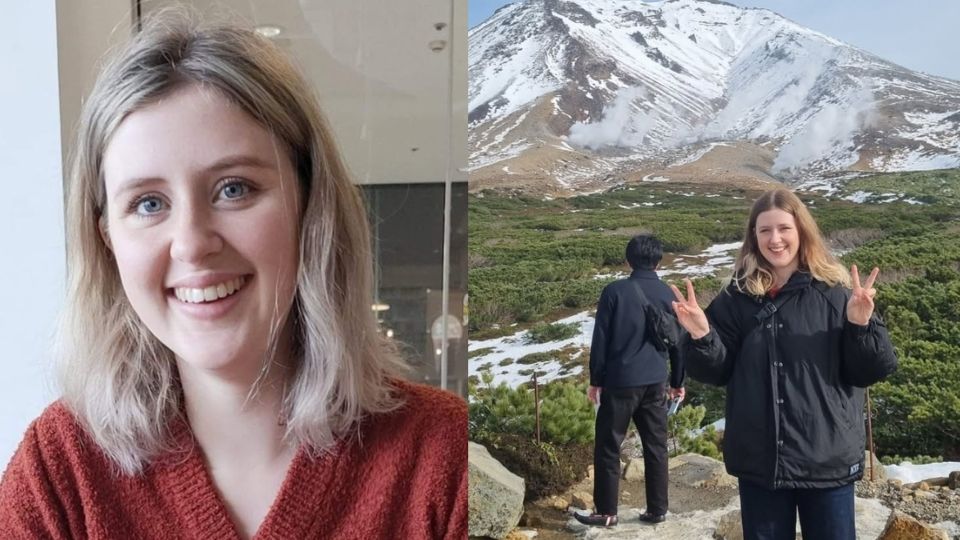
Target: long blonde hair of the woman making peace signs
x: 754, y: 274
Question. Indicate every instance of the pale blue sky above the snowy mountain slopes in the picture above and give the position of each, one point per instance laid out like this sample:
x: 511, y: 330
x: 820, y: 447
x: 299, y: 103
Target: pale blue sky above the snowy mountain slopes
x: 920, y: 35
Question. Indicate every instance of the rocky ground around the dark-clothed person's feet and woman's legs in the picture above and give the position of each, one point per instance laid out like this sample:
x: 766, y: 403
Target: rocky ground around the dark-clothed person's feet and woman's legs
x: 704, y: 504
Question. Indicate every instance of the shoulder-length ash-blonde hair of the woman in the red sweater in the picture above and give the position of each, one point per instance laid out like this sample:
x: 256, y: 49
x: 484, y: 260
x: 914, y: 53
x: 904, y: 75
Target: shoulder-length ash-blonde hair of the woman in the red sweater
x: 116, y: 377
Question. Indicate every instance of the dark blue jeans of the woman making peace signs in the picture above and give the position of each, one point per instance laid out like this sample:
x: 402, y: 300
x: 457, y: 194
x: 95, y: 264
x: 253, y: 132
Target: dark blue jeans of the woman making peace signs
x: 772, y: 514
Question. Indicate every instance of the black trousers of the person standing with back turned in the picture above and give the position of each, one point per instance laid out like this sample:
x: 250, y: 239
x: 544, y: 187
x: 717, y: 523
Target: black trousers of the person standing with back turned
x: 646, y: 406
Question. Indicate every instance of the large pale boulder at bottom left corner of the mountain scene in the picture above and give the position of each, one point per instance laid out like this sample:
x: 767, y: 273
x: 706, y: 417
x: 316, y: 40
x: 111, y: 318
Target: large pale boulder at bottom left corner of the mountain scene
x: 495, y: 495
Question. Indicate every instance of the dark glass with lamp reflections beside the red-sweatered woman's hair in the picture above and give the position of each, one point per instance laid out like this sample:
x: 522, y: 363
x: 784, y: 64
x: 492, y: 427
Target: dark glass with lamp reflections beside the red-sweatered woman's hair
x: 407, y: 225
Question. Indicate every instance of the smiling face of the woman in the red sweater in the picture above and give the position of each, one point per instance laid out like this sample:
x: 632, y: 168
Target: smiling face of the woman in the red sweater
x: 202, y: 219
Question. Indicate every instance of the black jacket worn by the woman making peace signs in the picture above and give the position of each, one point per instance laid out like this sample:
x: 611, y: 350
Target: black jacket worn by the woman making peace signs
x: 795, y: 370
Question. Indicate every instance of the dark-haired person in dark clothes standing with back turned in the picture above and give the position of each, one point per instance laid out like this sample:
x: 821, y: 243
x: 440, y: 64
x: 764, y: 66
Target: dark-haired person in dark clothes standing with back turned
x: 628, y: 372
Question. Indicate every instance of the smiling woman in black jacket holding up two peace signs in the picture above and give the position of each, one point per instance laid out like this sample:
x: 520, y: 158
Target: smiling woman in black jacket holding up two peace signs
x: 795, y: 347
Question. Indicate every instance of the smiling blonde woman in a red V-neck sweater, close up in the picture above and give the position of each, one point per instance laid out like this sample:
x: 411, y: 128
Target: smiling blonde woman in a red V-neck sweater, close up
x: 222, y: 373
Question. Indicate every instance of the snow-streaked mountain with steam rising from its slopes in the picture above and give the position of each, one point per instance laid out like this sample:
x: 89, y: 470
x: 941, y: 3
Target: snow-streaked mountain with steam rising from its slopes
x: 573, y: 95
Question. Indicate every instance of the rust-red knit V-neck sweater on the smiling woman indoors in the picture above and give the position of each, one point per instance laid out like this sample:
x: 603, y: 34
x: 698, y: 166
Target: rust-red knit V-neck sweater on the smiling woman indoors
x: 406, y: 477
